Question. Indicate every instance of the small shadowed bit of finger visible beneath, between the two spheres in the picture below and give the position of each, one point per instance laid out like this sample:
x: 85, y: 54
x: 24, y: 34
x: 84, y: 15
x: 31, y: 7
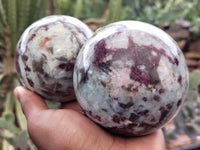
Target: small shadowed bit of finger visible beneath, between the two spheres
x: 72, y: 105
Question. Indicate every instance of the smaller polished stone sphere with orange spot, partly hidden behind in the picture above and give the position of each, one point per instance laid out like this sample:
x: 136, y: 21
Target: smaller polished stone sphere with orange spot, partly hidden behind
x: 46, y: 53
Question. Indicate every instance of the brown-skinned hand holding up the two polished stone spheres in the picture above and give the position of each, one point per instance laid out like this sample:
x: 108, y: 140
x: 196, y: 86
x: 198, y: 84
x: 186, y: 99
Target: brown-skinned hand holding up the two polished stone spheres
x: 68, y: 128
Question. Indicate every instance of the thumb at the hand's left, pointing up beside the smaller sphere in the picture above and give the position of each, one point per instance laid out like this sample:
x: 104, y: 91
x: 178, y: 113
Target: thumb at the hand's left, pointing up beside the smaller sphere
x: 30, y: 102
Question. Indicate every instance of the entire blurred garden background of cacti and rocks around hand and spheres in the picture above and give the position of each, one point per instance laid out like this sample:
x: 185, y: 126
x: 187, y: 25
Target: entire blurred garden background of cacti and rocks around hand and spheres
x: 179, y: 18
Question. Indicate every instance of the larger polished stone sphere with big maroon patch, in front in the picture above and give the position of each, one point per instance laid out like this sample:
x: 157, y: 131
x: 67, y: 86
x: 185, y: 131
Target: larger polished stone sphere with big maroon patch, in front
x: 131, y: 78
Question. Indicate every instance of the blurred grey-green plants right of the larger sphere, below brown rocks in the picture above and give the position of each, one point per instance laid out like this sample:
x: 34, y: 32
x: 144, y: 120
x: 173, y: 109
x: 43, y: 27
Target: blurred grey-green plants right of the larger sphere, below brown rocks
x: 188, y: 119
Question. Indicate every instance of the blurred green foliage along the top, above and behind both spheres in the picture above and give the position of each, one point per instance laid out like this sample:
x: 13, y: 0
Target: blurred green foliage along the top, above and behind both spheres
x: 157, y: 12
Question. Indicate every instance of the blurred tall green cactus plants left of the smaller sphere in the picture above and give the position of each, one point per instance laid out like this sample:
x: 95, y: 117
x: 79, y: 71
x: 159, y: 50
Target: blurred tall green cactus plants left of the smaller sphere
x: 15, y: 16
